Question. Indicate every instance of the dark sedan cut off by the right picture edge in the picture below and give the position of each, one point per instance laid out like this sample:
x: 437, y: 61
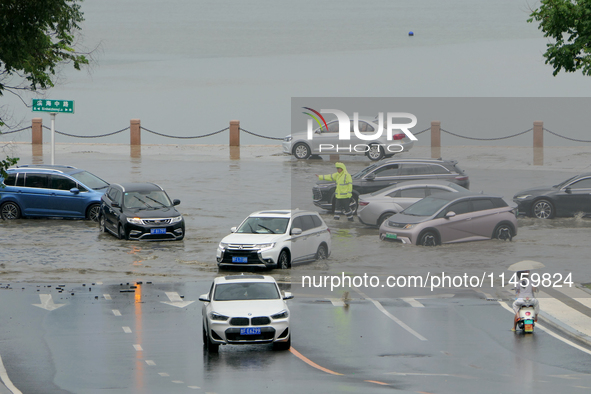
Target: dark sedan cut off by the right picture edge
x: 565, y: 199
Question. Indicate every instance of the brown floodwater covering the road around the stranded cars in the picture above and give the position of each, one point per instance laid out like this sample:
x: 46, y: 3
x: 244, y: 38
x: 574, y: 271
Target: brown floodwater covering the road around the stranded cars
x: 218, y: 188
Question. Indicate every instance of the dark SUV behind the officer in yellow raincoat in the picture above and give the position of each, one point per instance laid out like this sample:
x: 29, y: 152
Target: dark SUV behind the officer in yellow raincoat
x: 390, y: 172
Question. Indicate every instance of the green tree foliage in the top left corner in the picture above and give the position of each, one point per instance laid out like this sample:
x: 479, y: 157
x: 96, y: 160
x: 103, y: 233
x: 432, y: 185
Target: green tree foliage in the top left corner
x: 36, y: 38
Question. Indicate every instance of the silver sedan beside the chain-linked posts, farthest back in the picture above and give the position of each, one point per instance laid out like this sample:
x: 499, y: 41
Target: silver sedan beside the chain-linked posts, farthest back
x: 301, y: 147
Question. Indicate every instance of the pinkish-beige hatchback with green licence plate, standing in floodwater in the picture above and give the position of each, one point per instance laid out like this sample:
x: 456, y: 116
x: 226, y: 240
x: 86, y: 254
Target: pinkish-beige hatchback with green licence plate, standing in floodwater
x: 452, y: 217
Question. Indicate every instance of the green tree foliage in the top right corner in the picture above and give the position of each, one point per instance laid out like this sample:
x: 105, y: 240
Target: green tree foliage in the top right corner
x: 568, y: 24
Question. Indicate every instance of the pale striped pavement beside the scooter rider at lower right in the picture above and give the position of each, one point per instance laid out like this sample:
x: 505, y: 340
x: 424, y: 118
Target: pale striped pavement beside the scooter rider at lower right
x: 565, y: 308
